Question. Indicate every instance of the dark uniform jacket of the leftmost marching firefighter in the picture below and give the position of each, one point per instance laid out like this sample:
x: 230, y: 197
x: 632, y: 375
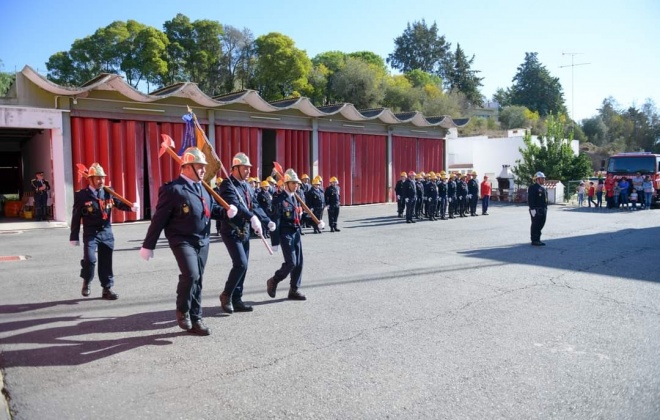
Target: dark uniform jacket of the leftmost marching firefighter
x: 94, y: 214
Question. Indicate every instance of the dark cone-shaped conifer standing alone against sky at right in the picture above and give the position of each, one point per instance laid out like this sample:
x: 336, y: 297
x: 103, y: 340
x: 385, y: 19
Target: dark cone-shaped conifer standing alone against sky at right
x: 534, y: 88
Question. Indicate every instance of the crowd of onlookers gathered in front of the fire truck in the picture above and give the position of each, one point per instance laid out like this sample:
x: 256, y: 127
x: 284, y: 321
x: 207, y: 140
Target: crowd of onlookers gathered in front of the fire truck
x: 625, y: 193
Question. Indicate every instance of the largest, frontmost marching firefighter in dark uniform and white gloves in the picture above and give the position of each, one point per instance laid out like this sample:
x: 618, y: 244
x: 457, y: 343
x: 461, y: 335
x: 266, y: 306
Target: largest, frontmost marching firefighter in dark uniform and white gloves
x: 184, y: 211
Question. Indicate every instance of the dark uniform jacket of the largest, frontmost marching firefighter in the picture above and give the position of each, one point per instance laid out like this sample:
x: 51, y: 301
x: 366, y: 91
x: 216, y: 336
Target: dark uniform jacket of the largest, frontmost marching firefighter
x: 184, y: 214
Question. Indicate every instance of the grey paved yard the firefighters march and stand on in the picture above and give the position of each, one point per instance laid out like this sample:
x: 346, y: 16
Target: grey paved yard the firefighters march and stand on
x: 447, y: 319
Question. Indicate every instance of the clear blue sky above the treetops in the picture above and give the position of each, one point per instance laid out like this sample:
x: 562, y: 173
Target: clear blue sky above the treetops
x: 618, y: 40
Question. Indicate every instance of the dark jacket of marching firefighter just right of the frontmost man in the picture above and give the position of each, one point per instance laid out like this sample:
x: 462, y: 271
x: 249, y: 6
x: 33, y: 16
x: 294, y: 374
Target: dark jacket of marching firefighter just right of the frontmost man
x: 239, y: 193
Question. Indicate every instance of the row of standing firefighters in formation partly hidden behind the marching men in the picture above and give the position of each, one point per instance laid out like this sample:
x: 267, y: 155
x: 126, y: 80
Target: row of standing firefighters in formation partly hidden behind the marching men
x: 313, y: 194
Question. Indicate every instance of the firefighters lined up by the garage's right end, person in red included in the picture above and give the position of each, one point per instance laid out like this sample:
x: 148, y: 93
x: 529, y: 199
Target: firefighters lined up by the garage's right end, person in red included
x: 439, y: 196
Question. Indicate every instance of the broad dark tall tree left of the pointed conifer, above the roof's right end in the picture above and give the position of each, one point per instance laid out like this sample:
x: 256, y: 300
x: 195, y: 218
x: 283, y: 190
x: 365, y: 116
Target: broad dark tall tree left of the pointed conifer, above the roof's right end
x: 420, y: 47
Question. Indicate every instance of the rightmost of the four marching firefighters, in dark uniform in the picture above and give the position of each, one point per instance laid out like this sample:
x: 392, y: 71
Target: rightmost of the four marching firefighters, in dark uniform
x: 286, y: 213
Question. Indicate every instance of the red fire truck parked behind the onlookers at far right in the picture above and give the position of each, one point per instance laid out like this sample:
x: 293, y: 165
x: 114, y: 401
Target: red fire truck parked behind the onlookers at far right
x: 628, y: 164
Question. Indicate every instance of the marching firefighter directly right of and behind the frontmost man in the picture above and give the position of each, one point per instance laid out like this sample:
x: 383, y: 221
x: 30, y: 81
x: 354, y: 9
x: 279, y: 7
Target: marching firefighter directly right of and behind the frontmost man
x: 235, y: 232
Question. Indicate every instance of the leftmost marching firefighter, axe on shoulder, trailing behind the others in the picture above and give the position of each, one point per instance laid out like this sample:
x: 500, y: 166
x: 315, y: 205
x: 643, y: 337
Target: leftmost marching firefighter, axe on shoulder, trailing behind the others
x: 92, y: 207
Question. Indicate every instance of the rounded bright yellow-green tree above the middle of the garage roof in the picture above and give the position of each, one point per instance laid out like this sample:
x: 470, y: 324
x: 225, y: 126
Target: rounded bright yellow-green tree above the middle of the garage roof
x: 281, y: 68
